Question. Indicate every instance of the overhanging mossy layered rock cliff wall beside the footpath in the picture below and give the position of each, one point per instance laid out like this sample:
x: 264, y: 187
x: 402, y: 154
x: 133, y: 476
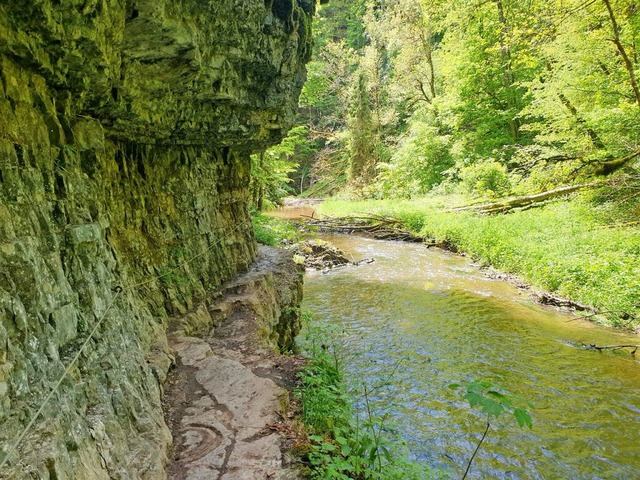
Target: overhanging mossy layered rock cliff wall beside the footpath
x: 125, y: 134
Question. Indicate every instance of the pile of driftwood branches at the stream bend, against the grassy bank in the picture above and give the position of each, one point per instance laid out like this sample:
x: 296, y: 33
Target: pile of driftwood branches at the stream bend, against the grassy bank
x: 377, y: 226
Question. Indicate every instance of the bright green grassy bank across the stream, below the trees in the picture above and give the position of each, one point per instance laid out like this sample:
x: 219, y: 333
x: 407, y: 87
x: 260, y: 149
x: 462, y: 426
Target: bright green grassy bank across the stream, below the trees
x: 566, y: 248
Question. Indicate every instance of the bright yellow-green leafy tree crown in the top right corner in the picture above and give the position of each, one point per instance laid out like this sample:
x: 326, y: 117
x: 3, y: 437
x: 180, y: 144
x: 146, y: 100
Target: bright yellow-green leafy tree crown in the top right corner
x: 582, y: 103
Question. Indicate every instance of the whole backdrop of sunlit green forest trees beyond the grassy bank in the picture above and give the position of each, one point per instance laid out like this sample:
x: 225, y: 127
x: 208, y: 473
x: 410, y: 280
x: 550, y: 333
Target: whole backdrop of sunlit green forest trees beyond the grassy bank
x: 407, y: 90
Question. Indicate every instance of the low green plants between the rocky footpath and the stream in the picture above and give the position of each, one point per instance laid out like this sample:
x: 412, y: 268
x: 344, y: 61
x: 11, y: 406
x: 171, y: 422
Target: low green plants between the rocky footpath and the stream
x: 344, y: 446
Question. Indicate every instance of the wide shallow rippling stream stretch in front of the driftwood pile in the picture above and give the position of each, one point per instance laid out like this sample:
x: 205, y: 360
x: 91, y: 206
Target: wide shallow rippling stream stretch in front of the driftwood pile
x: 422, y: 319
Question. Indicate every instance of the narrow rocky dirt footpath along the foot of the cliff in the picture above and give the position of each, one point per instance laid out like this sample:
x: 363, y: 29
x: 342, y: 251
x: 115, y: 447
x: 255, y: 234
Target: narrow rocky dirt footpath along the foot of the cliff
x: 227, y: 393
